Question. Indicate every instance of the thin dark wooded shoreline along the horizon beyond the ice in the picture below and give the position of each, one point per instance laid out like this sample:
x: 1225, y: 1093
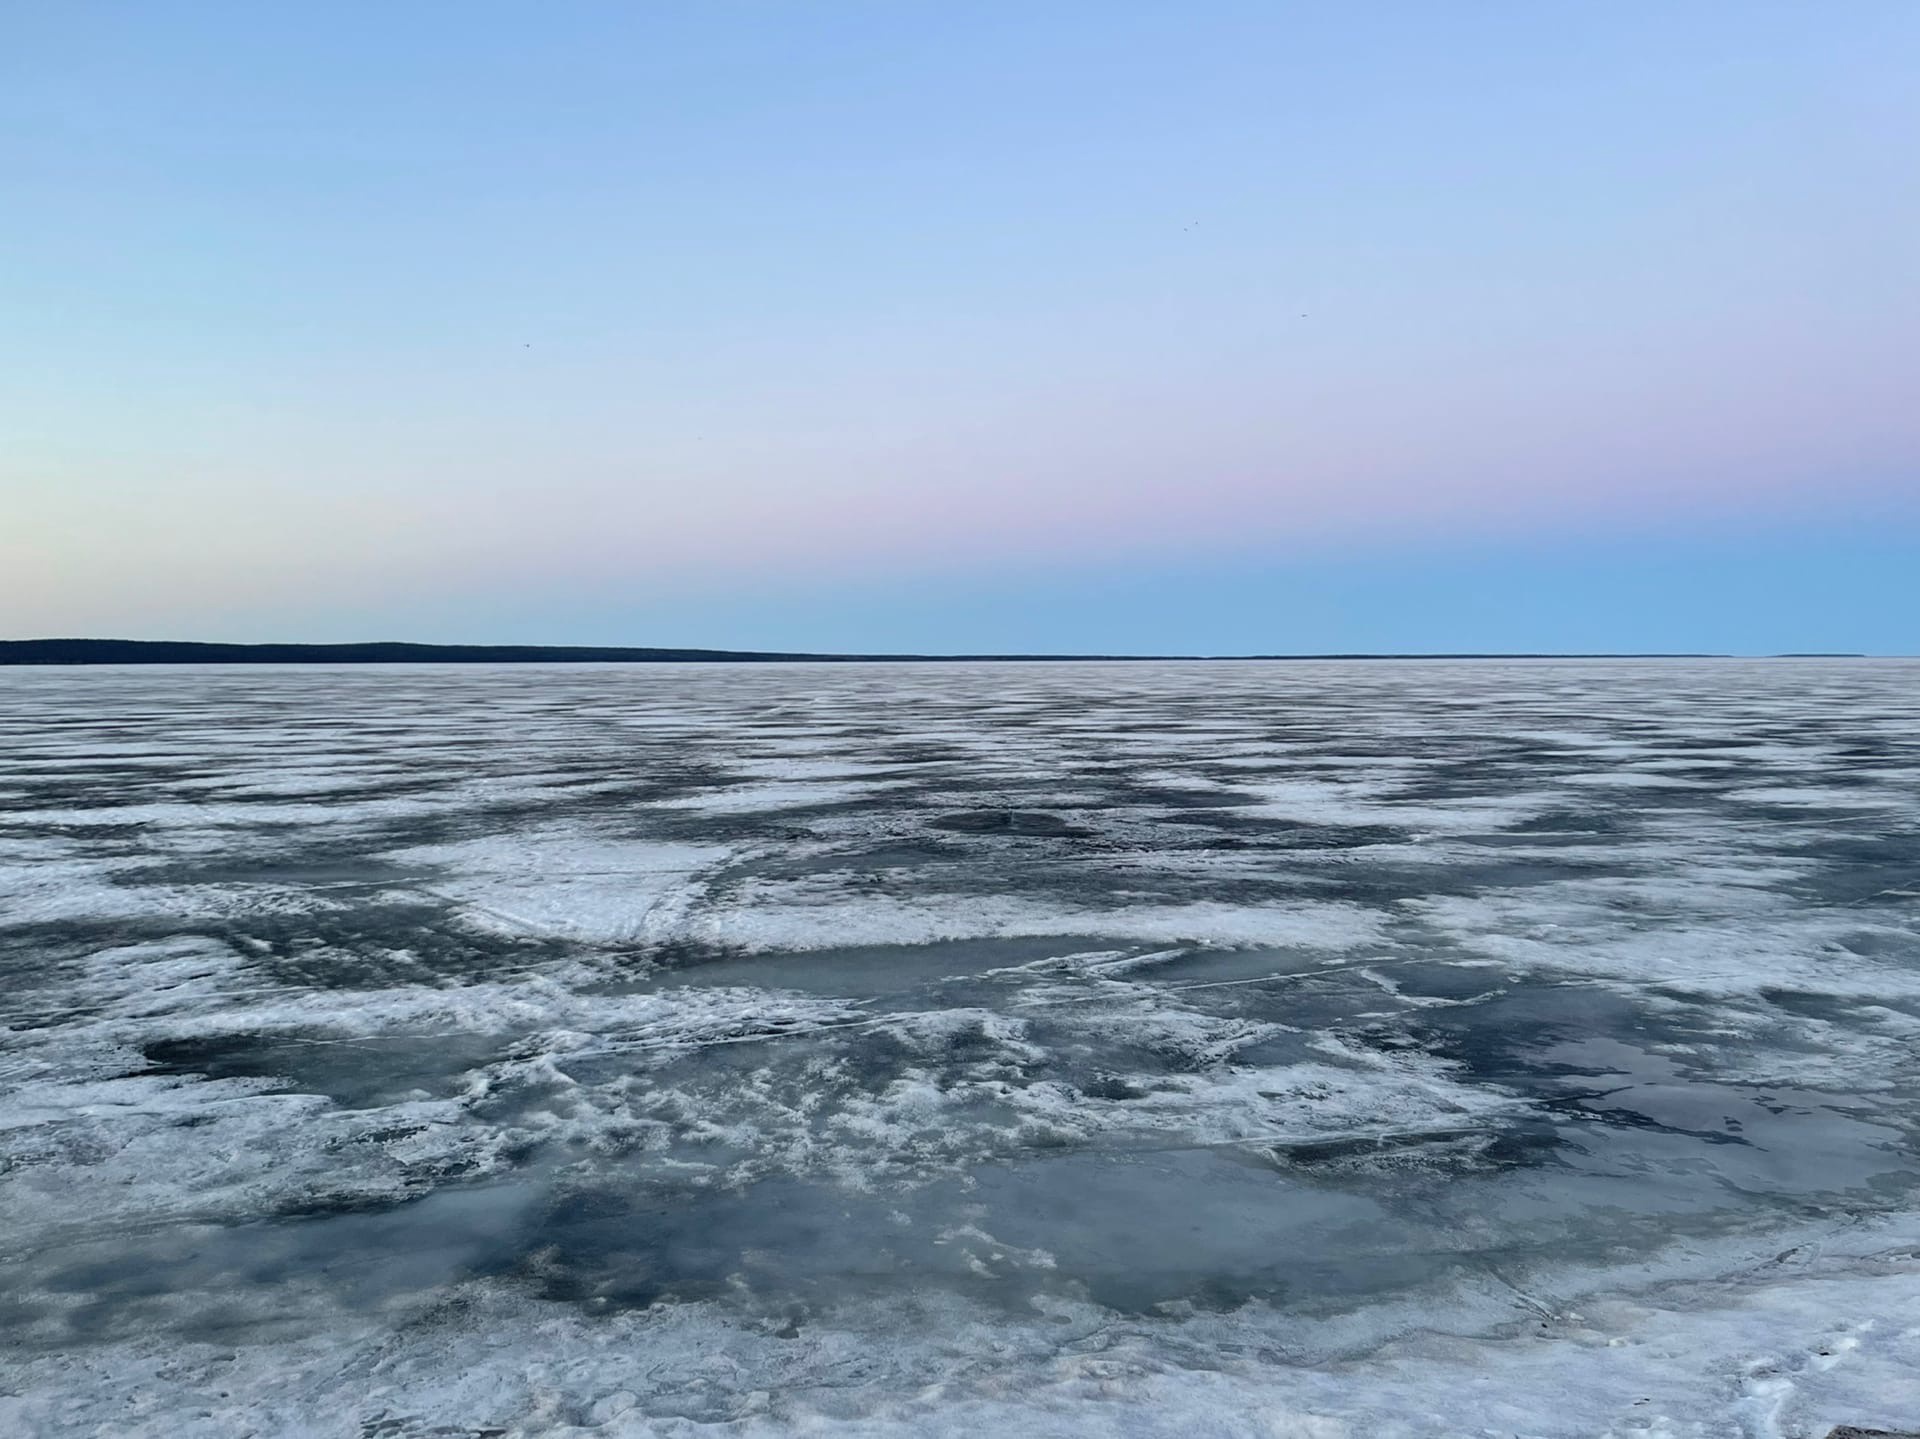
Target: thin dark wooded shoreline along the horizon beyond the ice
x: 189, y: 652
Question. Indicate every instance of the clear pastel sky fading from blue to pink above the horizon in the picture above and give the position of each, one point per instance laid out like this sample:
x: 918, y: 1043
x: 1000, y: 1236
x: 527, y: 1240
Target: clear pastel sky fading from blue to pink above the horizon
x: 965, y: 328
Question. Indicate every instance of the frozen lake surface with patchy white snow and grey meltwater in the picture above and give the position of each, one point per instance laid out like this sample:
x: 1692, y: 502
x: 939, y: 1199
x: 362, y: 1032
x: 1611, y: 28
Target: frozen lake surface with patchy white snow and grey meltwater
x: 1249, y: 1050
